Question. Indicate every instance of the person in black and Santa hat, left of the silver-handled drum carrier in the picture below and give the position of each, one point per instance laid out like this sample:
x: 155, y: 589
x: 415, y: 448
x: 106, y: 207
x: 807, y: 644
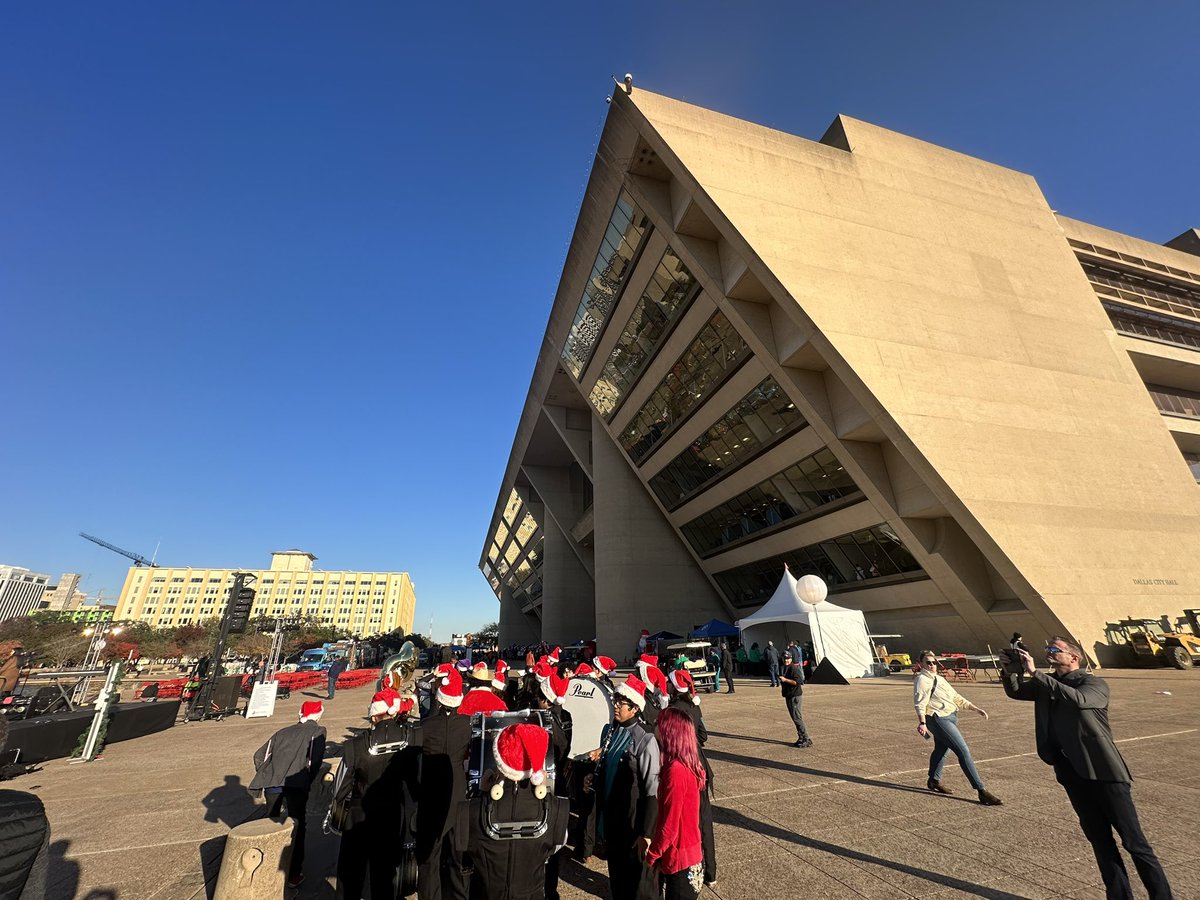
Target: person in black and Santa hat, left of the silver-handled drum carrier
x: 445, y: 746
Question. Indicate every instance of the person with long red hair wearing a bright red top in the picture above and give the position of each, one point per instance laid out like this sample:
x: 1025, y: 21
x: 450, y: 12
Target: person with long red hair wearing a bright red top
x: 676, y: 849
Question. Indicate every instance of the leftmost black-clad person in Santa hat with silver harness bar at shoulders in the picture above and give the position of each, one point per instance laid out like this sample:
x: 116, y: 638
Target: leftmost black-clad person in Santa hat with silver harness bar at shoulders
x: 380, y: 790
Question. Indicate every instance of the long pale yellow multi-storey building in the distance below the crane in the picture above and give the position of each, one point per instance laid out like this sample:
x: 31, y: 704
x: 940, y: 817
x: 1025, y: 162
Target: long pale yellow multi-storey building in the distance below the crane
x: 364, y: 603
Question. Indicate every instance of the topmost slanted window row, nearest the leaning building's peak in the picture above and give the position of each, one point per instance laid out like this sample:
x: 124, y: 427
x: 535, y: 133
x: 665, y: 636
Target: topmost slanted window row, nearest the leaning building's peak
x: 625, y: 236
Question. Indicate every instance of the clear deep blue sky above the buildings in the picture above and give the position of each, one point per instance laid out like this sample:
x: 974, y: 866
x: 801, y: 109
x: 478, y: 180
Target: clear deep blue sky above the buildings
x: 317, y: 244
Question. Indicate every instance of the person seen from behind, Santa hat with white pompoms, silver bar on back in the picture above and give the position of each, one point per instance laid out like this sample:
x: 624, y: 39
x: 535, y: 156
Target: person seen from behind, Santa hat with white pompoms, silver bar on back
x: 508, y: 867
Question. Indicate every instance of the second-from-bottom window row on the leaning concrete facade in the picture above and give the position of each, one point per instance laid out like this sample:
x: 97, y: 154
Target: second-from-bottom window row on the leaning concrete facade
x: 815, y: 482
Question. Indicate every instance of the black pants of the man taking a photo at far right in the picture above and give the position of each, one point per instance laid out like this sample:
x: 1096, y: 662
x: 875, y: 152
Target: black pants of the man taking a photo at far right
x: 1105, y: 807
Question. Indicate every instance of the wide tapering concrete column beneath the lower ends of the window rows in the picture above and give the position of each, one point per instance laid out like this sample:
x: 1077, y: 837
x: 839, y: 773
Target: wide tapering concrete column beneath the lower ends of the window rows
x: 645, y: 578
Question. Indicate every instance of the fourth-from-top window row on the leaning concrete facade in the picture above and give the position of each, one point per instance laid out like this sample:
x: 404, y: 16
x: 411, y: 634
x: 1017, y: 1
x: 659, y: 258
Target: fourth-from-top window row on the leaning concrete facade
x: 761, y: 418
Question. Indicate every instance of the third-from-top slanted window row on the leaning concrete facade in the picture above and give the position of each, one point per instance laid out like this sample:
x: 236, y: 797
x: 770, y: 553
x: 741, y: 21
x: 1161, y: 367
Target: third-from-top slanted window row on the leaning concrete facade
x: 717, y: 351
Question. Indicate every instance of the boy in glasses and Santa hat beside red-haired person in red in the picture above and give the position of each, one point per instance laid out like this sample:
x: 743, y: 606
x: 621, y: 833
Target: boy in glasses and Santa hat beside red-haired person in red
x: 627, y: 787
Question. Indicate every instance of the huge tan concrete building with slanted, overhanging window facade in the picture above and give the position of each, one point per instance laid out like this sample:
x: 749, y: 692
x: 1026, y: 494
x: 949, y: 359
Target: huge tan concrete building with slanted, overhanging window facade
x: 868, y: 358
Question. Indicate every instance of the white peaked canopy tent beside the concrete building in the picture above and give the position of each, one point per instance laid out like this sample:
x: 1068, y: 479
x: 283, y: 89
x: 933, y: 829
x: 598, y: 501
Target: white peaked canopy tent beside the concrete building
x: 838, y: 634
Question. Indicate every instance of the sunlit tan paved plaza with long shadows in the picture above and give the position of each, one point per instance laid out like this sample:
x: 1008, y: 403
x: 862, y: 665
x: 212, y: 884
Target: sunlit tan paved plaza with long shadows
x: 848, y: 819
